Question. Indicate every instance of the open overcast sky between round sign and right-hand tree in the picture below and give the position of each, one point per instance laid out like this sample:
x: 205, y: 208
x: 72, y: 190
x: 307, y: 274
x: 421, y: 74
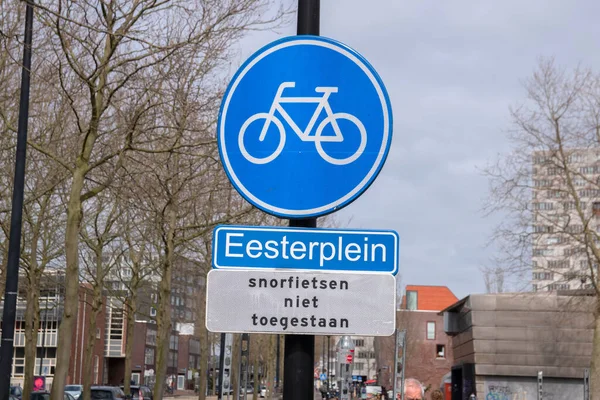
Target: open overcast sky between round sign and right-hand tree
x: 452, y: 69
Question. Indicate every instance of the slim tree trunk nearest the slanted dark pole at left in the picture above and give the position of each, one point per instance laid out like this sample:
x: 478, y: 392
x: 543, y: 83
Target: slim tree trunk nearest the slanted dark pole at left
x: 32, y: 324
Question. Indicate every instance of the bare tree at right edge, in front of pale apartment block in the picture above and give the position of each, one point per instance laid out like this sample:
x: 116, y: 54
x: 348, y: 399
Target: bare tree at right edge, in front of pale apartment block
x: 548, y: 188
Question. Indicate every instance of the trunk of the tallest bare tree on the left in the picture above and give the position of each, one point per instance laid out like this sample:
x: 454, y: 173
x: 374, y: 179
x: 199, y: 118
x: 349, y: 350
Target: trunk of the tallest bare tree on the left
x: 71, y: 300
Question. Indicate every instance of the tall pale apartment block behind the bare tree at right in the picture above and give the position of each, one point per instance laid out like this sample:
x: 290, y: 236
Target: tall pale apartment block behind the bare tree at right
x: 564, y: 201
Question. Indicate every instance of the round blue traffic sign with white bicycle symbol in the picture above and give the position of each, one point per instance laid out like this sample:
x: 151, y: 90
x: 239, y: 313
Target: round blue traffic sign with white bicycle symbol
x: 304, y: 128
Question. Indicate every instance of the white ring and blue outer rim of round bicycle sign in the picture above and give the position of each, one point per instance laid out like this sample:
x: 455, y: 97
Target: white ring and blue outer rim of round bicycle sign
x: 364, y: 65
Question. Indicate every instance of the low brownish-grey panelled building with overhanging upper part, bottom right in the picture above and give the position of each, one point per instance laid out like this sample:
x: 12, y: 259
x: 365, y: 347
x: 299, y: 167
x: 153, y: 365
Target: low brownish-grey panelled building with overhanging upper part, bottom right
x: 501, y: 342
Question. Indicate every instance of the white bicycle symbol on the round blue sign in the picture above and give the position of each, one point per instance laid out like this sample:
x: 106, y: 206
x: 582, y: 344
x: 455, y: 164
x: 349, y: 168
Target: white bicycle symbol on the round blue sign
x: 323, y: 103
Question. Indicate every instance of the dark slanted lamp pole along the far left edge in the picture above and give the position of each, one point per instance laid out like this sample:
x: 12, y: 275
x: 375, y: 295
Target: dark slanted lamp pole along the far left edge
x: 14, y: 242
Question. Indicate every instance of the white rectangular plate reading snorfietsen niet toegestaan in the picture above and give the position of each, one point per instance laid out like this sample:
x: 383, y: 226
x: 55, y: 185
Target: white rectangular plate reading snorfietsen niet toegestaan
x: 301, y: 302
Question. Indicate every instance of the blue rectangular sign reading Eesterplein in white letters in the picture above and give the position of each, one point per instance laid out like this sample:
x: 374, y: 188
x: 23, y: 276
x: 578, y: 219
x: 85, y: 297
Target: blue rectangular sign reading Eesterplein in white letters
x: 305, y: 249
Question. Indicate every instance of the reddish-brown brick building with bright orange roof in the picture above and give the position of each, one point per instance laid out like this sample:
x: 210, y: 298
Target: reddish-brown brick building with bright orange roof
x: 428, y: 348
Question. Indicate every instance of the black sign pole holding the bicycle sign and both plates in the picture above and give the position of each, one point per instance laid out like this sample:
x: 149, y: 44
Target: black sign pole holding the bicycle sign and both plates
x: 299, y: 350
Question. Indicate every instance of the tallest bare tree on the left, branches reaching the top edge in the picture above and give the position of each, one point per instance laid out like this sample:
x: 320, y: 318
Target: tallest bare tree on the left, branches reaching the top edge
x: 108, y: 59
